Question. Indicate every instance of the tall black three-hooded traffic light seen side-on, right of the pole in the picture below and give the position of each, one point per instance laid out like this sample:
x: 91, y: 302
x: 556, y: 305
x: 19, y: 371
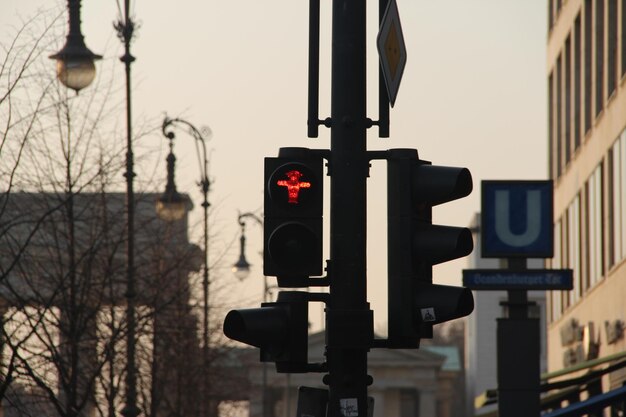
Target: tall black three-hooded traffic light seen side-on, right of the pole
x: 415, y: 245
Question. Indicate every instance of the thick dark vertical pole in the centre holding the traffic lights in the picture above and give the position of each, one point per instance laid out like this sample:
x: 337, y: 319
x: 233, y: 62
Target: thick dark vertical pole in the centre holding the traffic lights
x: 349, y: 320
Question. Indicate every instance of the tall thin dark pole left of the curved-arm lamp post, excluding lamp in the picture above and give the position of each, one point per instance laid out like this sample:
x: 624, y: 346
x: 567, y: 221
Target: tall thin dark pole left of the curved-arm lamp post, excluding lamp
x: 125, y: 32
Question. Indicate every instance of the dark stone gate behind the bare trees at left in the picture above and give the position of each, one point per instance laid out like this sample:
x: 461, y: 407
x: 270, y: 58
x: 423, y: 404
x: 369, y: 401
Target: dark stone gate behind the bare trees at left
x: 62, y: 294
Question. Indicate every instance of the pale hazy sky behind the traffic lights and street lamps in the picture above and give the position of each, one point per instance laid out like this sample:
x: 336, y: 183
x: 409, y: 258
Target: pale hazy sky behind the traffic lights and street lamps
x: 473, y: 94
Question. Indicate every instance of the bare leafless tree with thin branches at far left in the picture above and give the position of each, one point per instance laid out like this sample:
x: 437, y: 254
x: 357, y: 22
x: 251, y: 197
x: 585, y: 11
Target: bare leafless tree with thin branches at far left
x: 62, y: 249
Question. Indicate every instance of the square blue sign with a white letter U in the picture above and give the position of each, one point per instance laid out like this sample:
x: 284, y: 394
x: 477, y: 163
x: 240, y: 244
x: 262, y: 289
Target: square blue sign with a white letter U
x: 517, y: 219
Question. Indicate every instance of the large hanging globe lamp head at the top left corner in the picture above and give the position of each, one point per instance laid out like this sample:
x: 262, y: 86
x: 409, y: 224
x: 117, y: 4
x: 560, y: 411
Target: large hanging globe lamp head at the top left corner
x: 75, y: 62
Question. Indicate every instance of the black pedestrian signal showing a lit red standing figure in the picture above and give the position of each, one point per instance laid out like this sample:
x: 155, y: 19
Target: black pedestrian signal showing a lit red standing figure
x: 293, y: 214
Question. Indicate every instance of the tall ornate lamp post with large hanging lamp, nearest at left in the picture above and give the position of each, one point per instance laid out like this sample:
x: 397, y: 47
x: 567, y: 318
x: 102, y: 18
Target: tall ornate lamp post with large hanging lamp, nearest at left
x: 76, y: 70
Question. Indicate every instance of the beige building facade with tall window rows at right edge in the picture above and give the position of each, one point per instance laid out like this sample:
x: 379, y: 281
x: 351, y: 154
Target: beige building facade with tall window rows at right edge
x: 586, y: 69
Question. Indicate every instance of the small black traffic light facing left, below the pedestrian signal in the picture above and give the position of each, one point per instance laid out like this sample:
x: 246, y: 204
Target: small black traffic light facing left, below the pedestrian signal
x: 279, y: 329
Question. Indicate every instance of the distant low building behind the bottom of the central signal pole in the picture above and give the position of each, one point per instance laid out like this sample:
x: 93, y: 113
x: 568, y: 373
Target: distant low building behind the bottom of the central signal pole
x: 407, y: 382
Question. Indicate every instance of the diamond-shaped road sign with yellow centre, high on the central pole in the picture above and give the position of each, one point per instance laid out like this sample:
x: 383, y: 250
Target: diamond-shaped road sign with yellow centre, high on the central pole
x: 391, y: 50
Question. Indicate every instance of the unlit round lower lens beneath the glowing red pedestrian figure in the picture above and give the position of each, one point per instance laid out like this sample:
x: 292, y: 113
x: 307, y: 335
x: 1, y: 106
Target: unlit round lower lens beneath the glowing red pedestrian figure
x: 292, y: 246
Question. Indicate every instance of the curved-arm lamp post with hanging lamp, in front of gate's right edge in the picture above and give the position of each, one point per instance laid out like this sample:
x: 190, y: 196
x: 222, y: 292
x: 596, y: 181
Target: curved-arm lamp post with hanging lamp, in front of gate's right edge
x: 172, y: 206
